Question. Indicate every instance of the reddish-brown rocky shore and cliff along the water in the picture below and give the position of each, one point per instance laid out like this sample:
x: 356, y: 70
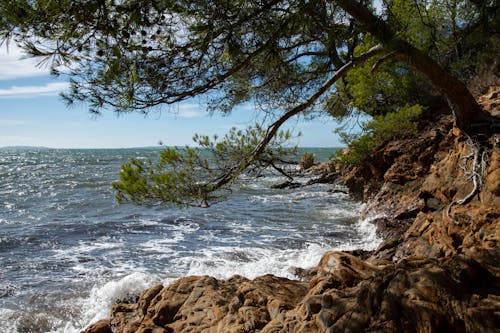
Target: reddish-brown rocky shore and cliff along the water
x: 436, y: 271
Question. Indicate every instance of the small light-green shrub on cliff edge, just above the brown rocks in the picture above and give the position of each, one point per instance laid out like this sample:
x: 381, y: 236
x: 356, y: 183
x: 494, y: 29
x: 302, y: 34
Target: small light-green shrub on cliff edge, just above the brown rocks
x: 392, y: 126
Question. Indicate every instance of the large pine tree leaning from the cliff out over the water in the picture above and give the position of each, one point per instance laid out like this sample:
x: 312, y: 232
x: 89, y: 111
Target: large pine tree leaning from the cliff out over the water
x: 288, y: 57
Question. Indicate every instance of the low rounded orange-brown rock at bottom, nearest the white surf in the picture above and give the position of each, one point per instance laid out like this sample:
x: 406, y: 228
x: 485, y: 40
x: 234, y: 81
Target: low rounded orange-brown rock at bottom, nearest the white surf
x: 203, y: 304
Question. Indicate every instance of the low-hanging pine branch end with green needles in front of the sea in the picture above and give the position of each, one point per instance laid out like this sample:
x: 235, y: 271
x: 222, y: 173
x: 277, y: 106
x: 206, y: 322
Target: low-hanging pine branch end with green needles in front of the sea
x: 203, y: 175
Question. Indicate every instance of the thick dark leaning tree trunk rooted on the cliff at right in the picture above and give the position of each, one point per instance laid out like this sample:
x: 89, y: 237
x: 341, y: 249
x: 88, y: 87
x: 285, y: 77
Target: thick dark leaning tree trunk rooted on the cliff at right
x: 469, y: 116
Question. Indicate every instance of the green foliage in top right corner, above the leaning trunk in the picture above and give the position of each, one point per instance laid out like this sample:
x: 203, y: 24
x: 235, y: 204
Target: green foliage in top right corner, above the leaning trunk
x: 462, y: 35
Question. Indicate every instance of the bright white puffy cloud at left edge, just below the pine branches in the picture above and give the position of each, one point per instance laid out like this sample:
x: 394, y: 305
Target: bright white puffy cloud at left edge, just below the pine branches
x: 14, y: 64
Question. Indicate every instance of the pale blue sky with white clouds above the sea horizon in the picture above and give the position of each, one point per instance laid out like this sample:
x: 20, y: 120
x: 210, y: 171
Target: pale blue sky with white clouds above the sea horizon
x: 33, y: 114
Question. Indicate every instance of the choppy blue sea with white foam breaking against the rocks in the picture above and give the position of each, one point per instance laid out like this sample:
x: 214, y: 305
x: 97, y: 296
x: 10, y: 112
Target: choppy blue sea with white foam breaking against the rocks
x: 68, y: 251
